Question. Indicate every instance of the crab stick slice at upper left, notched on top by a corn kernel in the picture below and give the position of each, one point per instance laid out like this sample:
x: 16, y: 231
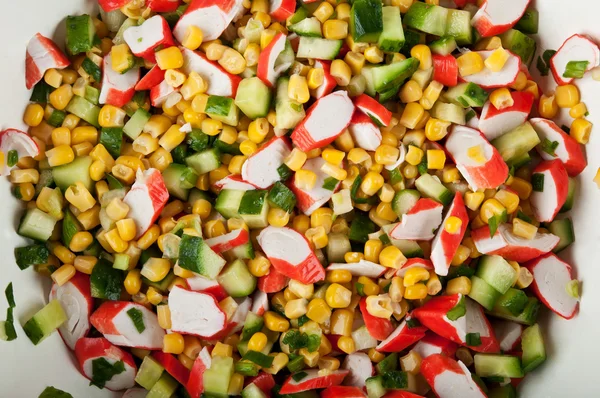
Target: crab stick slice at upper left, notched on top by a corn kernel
x: 117, y: 89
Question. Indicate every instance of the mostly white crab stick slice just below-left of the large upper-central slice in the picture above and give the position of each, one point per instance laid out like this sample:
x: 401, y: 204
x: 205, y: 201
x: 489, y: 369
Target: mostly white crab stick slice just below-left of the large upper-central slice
x: 261, y: 169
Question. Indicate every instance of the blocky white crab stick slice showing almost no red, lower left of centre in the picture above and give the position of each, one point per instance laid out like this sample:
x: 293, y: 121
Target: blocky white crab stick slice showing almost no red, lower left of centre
x: 195, y: 313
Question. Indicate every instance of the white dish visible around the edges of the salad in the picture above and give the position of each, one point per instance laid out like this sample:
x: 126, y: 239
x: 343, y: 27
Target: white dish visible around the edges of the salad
x: 573, y: 349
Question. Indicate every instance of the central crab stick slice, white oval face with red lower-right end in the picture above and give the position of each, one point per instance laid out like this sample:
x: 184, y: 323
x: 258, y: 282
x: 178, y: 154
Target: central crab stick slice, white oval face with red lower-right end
x: 290, y: 254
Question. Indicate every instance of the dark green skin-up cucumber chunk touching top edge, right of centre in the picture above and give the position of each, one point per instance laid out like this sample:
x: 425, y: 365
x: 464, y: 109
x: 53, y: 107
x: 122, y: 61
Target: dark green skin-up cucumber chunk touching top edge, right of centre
x: 366, y: 20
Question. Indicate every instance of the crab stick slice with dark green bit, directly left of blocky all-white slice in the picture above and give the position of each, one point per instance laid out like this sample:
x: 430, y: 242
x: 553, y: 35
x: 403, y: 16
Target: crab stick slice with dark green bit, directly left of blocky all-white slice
x: 119, y: 322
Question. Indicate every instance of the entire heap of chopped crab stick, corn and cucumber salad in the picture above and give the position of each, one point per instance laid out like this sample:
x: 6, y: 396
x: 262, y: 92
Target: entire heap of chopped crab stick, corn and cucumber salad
x: 259, y: 198
